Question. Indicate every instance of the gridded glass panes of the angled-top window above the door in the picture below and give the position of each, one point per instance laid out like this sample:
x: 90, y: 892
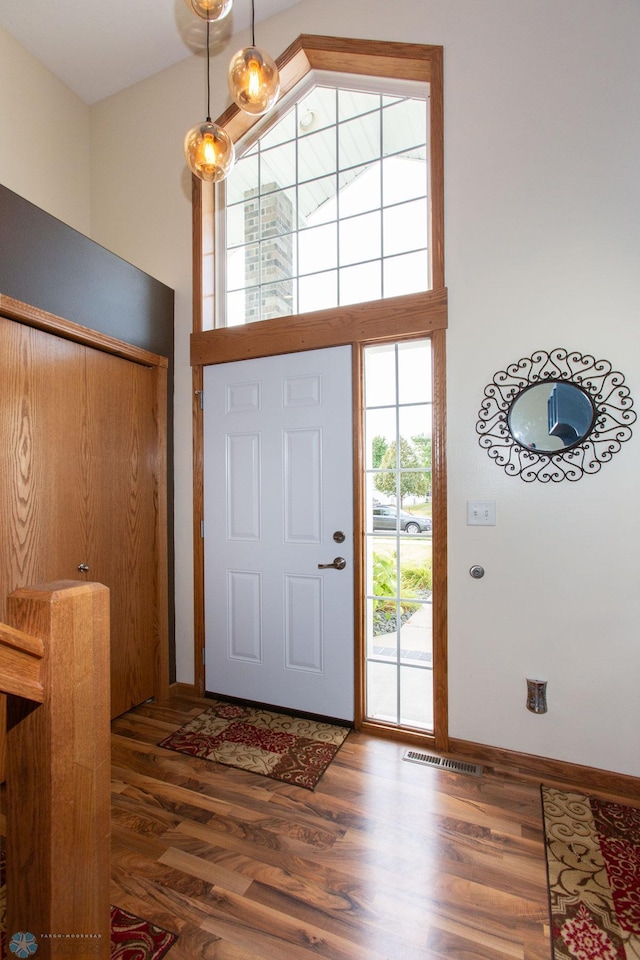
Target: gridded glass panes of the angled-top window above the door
x: 329, y: 207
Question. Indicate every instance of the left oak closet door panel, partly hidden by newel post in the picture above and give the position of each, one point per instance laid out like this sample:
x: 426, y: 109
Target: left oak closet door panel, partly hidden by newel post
x: 42, y: 468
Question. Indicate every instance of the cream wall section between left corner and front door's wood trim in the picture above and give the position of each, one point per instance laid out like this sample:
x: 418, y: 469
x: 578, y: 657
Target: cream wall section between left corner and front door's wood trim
x: 141, y: 209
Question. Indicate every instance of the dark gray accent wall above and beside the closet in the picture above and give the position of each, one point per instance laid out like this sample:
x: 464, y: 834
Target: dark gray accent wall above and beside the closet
x: 49, y: 265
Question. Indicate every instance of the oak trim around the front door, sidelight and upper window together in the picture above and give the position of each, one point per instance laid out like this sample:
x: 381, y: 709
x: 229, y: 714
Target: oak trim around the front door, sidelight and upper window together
x: 408, y: 317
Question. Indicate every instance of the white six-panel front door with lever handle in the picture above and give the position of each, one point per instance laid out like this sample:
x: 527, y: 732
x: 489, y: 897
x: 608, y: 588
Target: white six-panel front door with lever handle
x: 278, y: 496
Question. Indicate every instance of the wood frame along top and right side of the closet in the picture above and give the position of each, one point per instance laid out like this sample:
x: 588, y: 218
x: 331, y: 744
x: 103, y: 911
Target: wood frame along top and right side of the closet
x: 28, y: 315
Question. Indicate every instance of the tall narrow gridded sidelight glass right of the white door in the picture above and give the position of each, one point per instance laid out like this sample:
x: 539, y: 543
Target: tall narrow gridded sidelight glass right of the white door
x: 398, y: 407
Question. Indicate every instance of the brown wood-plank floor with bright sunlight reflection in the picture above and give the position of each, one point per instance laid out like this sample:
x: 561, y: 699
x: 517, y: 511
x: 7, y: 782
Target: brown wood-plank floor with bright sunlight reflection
x: 385, y: 860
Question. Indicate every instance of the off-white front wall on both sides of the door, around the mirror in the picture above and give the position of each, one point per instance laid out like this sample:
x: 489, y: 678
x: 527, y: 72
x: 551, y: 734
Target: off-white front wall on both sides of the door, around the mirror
x: 542, y: 168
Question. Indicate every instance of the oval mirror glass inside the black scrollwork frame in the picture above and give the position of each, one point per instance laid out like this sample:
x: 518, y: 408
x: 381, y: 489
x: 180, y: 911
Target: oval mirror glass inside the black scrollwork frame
x: 551, y: 416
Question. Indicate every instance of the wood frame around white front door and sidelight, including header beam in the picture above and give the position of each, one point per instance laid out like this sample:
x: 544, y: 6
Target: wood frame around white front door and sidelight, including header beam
x: 421, y: 315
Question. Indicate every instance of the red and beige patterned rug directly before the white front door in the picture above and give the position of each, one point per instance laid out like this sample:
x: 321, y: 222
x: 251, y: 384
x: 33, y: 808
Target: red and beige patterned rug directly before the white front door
x: 276, y: 745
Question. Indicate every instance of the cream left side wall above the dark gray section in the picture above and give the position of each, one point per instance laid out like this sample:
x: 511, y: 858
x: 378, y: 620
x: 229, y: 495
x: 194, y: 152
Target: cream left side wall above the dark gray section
x: 44, y: 137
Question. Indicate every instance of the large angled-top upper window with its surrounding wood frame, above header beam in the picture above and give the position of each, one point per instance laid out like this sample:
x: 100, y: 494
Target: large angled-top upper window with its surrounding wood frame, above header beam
x: 336, y: 196
